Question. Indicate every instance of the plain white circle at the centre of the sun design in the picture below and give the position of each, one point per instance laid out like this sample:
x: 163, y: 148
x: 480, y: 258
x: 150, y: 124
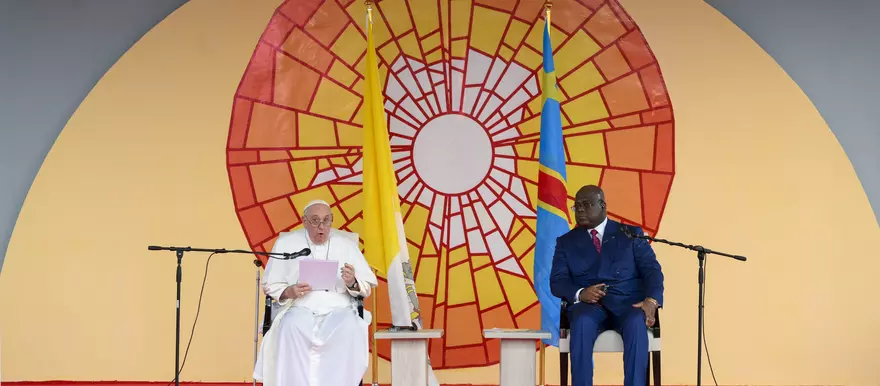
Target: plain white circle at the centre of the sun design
x: 452, y: 153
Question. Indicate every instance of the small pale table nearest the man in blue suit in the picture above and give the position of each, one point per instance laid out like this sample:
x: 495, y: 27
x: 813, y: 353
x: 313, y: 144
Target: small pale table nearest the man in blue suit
x: 517, y: 354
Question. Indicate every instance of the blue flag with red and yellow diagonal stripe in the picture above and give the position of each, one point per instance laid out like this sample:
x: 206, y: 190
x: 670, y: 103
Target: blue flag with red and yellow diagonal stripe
x: 552, y: 212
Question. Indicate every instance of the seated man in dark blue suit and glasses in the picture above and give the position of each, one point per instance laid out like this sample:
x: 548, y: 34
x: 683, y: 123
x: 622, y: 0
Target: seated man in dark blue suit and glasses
x: 611, y: 281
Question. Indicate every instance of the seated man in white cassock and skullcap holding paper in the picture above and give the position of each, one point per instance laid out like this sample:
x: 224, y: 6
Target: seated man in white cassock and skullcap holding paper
x: 317, y: 337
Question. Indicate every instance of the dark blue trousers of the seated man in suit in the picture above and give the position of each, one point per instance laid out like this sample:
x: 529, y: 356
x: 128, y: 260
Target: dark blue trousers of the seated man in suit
x: 588, y: 321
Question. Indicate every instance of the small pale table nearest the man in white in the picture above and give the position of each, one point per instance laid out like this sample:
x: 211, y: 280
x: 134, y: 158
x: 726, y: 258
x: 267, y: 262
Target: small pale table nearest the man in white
x: 409, y: 355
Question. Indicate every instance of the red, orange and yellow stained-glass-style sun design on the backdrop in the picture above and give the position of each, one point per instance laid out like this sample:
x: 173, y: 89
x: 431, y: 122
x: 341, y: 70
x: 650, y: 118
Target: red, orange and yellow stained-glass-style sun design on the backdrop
x: 463, y: 98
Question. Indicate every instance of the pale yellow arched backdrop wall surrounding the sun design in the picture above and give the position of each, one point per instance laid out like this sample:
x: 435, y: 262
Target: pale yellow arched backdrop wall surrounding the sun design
x: 142, y: 160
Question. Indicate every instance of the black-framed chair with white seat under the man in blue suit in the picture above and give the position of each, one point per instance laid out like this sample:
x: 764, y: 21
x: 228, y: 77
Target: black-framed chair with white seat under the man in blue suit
x: 608, y: 341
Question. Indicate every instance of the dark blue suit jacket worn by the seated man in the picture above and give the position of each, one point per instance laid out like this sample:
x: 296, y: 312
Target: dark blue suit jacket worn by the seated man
x: 628, y: 266
